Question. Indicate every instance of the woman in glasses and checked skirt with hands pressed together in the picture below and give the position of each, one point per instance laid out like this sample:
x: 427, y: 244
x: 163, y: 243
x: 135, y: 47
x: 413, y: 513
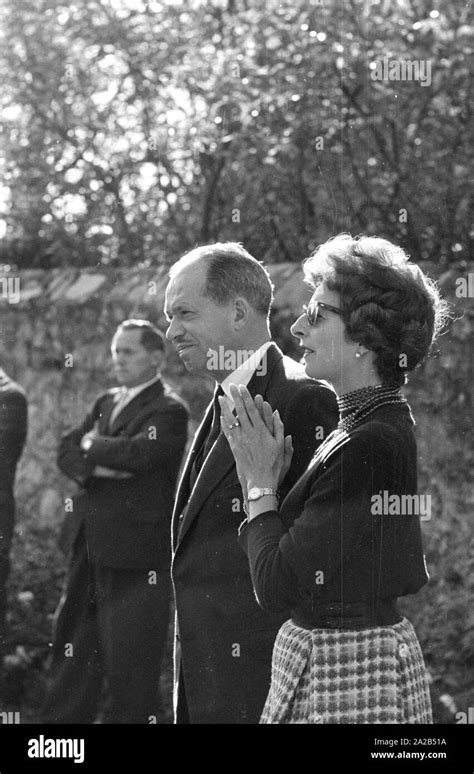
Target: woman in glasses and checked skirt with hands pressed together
x: 345, y: 543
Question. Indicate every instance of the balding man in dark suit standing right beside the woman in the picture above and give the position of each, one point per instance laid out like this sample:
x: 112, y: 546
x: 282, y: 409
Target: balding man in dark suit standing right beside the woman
x: 217, y: 303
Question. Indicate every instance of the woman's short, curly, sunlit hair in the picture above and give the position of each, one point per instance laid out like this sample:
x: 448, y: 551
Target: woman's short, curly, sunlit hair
x: 388, y: 304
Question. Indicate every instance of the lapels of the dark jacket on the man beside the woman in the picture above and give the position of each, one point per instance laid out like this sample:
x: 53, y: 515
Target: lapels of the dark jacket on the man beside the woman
x: 217, y: 463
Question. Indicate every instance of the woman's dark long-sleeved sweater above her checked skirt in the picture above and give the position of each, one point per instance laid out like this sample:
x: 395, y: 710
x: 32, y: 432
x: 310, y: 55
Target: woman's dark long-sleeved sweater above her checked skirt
x: 361, y: 555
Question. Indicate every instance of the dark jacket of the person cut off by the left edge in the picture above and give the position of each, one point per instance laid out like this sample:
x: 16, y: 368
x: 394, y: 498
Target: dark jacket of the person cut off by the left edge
x: 13, y: 428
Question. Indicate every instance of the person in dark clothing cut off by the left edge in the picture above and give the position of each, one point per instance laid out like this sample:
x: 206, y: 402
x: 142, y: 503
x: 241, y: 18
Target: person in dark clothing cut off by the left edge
x: 13, y: 428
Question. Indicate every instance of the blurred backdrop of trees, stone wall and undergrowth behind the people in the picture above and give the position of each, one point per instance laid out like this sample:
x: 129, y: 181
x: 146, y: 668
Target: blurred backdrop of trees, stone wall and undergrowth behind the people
x: 133, y: 131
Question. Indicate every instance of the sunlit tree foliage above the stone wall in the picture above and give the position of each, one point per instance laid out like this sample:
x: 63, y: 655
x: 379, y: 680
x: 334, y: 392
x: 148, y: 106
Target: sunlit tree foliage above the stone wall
x: 133, y: 130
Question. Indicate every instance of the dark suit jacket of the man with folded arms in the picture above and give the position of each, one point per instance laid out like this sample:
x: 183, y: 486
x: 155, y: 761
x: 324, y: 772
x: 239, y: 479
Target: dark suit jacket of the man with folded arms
x: 127, y: 520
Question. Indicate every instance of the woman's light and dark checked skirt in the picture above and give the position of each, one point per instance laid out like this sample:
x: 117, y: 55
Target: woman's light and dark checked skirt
x: 337, y: 676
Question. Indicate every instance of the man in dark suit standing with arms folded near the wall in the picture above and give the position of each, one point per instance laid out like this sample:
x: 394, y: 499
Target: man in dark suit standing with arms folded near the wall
x: 111, y: 623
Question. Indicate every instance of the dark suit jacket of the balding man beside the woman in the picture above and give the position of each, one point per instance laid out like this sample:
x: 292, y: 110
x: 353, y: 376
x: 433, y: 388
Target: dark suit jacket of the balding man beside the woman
x: 225, y: 639
